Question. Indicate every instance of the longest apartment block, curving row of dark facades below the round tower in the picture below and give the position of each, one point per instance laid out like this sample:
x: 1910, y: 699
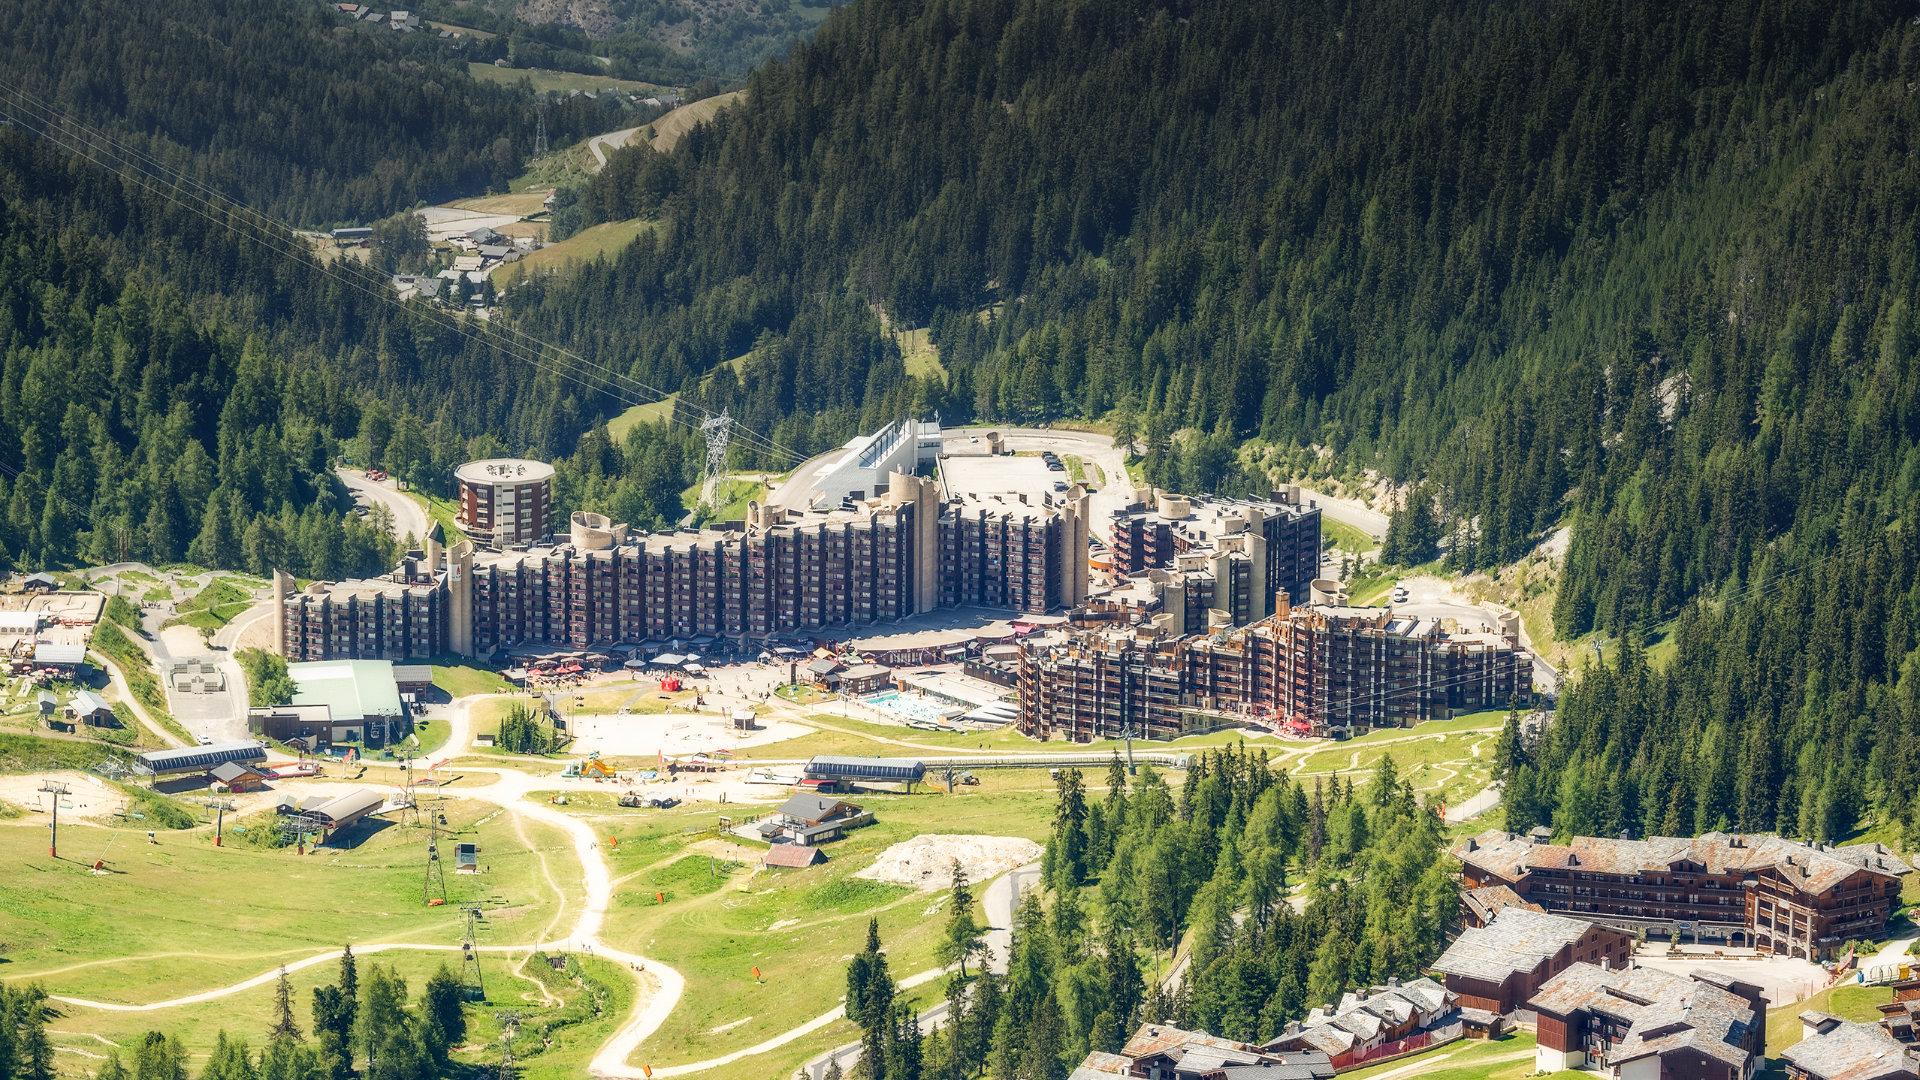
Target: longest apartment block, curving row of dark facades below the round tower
x: 896, y: 554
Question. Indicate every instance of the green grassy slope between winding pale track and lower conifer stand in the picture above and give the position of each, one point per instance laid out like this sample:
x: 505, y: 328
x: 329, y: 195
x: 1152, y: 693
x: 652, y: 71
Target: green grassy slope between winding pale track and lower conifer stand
x: 798, y: 927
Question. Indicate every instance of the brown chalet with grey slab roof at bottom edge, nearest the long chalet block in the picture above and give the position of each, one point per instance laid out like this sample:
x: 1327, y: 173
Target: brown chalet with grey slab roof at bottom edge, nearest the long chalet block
x: 1648, y: 1025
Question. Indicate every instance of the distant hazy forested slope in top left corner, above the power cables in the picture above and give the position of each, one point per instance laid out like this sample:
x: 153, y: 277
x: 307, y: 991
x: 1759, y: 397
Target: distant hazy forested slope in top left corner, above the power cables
x: 285, y: 105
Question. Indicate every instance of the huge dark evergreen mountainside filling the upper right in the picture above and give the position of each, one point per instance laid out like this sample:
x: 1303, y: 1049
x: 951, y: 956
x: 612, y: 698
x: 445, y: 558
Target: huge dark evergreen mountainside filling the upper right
x: 1631, y: 266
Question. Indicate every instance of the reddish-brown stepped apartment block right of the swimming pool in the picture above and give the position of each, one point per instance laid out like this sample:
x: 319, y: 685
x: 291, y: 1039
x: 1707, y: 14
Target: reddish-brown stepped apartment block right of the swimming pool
x: 1312, y: 670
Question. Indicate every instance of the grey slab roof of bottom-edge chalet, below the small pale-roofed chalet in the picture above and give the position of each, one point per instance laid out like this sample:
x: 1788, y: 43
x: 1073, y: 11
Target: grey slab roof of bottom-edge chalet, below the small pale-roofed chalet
x: 1664, y: 1012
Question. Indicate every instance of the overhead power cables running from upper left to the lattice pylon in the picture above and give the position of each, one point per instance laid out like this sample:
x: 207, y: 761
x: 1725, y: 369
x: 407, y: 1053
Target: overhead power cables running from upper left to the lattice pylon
x: 143, y: 170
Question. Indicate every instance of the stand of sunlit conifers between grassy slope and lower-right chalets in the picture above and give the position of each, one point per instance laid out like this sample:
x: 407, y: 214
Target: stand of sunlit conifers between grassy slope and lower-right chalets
x: 1134, y: 875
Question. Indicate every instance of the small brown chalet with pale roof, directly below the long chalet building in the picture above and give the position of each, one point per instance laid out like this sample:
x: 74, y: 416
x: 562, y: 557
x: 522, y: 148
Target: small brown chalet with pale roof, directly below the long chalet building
x: 1499, y: 968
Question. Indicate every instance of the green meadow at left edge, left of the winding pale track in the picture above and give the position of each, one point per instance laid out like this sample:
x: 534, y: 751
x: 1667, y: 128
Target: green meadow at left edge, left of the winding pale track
x: 181, y: 916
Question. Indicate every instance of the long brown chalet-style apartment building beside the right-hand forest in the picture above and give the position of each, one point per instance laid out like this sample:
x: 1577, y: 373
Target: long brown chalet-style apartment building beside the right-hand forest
x: 1775, y: 895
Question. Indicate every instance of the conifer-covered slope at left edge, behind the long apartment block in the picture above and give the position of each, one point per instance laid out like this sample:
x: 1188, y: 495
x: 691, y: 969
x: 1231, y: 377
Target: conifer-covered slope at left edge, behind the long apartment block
x: 172, y: 391
